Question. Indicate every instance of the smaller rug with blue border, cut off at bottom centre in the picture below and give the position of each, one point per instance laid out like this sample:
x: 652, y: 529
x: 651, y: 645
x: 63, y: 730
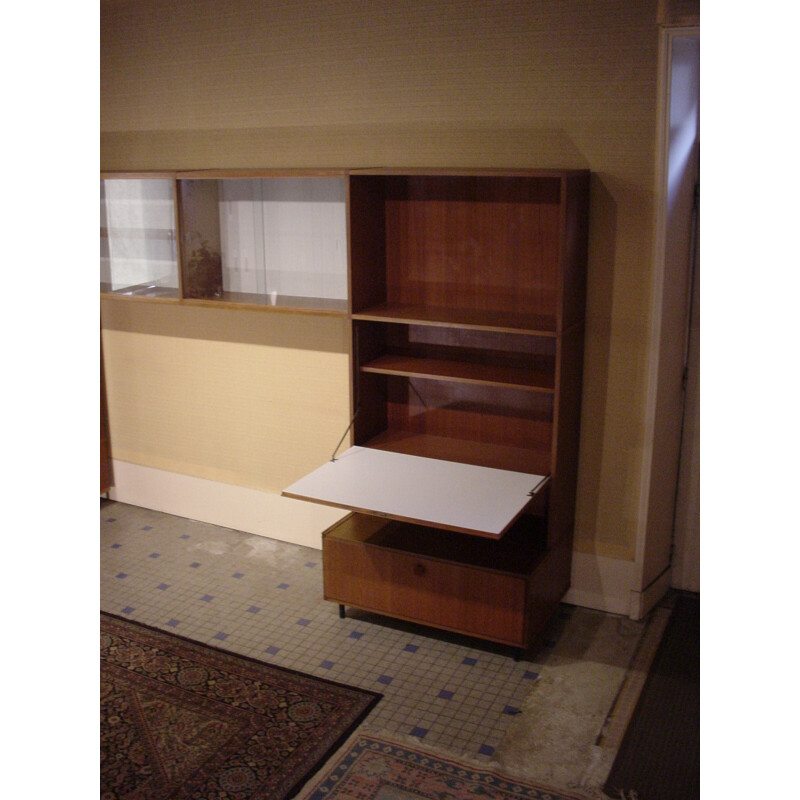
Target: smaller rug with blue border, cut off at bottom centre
x: 374, y: 768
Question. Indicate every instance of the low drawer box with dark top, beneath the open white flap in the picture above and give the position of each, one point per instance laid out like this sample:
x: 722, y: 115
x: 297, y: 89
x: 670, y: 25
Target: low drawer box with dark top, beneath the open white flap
x: 425, y: 575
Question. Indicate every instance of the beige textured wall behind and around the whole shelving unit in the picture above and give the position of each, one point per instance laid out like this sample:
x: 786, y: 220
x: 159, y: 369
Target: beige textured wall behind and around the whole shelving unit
x: 207, y: 83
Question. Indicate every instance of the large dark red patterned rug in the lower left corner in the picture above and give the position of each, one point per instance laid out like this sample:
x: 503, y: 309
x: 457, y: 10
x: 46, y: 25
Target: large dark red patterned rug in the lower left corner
x: 183, y: 720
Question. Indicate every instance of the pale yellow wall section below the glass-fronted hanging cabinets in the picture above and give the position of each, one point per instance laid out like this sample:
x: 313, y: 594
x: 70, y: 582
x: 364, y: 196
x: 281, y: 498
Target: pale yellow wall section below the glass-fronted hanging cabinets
x: 258, y: 414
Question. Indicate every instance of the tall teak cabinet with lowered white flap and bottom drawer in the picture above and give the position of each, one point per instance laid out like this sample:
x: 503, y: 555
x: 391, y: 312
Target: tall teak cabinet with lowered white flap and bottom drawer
x: 467, y: 294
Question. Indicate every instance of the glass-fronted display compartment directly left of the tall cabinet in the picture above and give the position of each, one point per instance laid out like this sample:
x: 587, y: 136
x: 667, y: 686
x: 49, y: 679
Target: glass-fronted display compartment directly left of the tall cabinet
x: 254, y: 238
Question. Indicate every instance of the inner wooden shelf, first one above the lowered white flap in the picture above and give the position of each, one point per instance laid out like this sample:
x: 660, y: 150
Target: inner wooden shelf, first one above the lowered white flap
x: 461, y: 371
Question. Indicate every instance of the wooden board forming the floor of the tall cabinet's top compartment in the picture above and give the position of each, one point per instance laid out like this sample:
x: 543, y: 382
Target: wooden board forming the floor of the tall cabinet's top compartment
x: 499, y: 321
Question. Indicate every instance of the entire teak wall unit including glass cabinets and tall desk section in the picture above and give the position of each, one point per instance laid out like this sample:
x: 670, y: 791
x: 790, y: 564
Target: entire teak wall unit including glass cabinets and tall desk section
x: 466, y: 303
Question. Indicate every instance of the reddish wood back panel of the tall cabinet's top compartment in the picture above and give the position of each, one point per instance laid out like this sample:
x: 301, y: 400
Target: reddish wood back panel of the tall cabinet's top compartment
x: 488, y: 243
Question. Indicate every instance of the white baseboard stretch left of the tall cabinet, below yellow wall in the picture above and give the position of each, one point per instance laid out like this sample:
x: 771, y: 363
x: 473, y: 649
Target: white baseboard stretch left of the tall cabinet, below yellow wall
x: 250, y: 510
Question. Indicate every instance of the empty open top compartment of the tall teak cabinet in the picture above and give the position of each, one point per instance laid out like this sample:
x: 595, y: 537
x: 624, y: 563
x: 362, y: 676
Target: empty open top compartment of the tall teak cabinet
x: 459, y: 250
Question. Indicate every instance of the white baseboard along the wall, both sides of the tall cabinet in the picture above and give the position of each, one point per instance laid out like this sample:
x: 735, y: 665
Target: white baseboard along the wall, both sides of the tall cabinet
x: 601, y: 583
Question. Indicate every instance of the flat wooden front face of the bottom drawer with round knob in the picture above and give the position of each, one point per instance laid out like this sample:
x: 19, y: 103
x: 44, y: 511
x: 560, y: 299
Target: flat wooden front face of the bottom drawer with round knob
x: 455, y: 597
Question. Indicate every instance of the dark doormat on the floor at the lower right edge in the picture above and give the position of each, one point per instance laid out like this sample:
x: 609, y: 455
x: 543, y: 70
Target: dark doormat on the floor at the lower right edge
x: 659, y: 758
